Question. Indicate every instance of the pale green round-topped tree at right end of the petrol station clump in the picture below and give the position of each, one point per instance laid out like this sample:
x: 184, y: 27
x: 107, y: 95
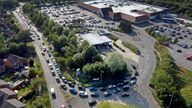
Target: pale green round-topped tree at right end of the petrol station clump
x: 116, y: 64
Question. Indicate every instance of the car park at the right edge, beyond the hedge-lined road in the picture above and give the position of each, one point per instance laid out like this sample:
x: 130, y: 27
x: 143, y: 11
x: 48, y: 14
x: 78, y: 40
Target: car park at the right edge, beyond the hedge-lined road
x: 180, y: 44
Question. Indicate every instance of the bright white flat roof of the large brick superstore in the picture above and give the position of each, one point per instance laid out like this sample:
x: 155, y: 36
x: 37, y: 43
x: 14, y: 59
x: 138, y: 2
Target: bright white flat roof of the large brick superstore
x: 125, y: 7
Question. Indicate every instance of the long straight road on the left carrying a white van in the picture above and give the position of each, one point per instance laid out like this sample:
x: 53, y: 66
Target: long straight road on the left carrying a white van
x: 50, y: 80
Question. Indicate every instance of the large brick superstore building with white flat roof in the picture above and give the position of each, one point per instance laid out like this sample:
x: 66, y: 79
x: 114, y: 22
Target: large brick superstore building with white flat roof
x: 131, y: 11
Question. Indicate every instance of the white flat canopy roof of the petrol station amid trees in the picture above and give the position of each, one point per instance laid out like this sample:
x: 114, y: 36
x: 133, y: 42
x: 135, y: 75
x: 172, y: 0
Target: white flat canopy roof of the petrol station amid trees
x: 95, y: 39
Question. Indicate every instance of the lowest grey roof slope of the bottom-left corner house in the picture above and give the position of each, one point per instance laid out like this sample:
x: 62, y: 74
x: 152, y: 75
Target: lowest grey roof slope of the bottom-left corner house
x: 16, y: 103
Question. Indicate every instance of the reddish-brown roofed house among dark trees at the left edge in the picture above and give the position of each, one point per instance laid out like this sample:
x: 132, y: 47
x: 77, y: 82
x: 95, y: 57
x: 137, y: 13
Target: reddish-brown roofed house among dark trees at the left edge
x: 15, y: 62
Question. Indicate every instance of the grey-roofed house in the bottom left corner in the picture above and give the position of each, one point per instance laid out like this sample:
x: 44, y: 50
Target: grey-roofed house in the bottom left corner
x: 8, y: 99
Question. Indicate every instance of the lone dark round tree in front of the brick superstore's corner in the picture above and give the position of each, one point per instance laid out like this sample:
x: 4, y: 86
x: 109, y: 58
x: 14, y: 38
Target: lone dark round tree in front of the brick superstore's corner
x: 125, y: 26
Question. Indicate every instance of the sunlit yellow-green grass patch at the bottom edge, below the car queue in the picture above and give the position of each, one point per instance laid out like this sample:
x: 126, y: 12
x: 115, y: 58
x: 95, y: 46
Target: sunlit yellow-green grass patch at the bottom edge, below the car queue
x: 105, y: 104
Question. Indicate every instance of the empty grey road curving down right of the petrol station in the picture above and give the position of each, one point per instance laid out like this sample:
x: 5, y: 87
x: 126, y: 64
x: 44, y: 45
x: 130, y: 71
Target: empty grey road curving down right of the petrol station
x: 147, y: 62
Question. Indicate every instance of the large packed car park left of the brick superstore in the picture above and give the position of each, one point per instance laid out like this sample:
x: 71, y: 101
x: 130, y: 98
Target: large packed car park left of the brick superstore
x: 69, y: 15
